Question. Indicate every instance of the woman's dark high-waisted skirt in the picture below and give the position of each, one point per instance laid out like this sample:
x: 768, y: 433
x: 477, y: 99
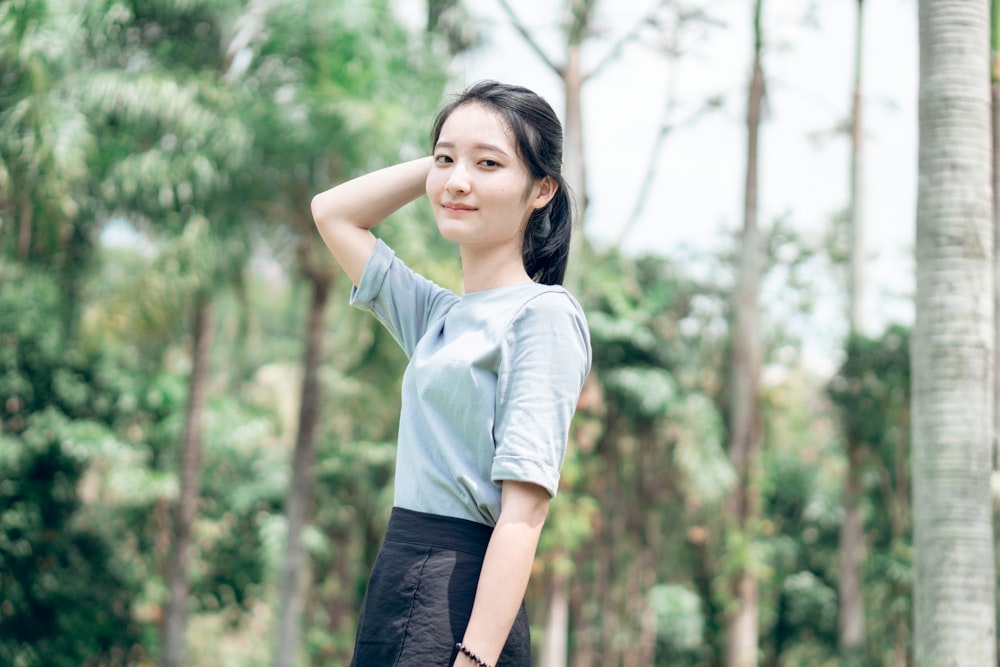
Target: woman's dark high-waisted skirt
x: 420, y: 595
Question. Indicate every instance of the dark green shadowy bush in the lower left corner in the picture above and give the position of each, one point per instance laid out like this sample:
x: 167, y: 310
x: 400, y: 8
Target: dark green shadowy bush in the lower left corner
x: 67, y: 599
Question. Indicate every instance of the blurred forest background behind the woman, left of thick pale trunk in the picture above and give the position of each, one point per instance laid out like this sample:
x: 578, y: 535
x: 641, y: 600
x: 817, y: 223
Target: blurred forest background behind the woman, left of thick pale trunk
x: 196, y: 431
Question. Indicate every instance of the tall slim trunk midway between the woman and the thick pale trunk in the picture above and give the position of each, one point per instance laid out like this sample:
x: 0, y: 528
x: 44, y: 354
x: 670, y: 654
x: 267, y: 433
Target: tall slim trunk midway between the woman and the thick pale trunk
x: 743, y: 508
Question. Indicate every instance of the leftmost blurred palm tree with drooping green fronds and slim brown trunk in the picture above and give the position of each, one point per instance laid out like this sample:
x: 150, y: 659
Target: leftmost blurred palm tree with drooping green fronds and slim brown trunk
x: 171, y: 149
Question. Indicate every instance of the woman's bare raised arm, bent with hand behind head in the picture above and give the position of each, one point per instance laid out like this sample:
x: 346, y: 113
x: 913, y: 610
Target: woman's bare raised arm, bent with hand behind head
x: 345, y: 213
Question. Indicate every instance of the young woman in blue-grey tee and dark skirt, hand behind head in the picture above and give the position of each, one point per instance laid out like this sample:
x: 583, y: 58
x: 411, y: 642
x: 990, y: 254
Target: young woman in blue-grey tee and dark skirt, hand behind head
x: 492, y: 382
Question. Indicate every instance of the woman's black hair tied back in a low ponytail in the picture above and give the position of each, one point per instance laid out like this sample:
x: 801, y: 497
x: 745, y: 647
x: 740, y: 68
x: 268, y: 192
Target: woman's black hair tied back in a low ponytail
x: 539, y: 140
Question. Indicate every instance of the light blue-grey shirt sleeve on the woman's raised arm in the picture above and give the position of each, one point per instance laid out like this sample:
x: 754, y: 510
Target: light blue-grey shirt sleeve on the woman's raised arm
x: 402, y: 300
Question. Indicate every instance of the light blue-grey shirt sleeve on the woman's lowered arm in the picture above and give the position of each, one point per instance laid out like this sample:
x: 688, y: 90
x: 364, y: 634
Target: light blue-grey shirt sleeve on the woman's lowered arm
x: 545, y: 358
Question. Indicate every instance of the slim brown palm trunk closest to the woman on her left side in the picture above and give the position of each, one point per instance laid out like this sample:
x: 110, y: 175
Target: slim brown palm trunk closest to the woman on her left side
x: 297, y: 510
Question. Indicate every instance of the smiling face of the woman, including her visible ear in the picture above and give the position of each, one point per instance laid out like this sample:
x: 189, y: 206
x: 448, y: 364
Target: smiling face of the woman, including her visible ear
x: 479, y: 188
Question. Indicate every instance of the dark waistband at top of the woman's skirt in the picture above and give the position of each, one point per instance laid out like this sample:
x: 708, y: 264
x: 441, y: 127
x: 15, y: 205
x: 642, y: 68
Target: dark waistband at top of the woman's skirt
x: 434, y: 530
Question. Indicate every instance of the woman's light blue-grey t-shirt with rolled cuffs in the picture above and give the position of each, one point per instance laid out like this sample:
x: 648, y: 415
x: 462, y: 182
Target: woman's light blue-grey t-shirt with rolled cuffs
x: 492, y: 384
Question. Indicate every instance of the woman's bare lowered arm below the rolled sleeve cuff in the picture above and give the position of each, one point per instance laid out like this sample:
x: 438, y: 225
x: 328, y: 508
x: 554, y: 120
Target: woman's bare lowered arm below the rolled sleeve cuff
x: 506, y: 570
